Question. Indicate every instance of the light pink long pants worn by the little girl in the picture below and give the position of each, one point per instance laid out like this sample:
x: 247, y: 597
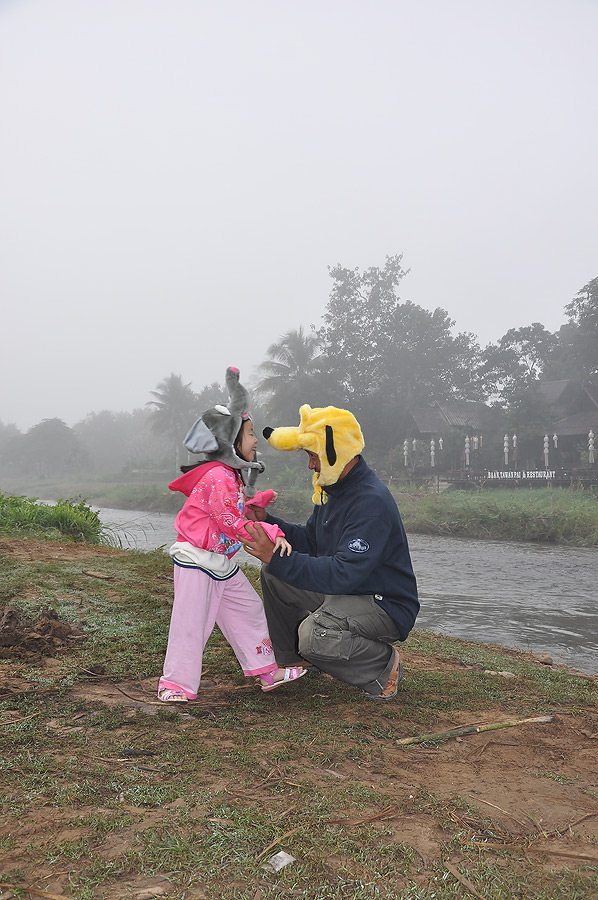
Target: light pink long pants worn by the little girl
x: 200, y: 602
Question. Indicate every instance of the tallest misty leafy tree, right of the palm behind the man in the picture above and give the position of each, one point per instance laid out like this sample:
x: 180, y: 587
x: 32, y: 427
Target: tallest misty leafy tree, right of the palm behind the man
x: 387, y: 355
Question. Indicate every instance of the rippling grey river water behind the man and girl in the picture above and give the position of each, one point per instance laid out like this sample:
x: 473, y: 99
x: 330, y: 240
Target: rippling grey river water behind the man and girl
x: 533, y: 597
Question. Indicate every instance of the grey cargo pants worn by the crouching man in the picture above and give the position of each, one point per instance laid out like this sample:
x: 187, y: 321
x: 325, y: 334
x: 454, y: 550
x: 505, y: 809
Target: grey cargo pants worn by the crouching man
x: 345, y: 635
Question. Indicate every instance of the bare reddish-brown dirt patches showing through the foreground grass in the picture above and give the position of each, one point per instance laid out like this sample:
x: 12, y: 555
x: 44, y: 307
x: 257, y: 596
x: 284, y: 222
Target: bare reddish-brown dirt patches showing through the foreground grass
x: 537, y: 783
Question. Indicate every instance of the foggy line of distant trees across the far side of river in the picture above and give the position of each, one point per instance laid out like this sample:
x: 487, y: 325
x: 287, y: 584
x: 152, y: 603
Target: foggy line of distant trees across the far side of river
x: 374, y: 354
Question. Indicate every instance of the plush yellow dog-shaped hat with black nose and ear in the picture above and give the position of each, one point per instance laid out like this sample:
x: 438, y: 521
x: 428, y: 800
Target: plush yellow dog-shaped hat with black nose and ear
x: 333, y: 434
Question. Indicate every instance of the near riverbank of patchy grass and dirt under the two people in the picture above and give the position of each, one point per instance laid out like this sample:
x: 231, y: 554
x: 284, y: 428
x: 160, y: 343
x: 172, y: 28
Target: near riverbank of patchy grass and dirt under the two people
x: 109, y: 794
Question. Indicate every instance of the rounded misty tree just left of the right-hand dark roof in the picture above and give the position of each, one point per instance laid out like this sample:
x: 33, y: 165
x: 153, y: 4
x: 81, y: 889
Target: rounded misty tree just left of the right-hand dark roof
x: 517, y: 361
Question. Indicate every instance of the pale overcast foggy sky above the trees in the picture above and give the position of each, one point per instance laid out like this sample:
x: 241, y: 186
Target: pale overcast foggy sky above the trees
x: 177, y: 175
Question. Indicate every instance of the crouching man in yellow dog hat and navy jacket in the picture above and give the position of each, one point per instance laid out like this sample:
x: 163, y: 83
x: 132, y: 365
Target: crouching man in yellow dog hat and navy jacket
x: 347, y: 590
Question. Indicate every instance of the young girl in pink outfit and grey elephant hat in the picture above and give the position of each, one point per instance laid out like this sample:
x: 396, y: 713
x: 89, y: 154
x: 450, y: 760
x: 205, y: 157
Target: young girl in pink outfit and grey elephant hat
x: 209, y: 587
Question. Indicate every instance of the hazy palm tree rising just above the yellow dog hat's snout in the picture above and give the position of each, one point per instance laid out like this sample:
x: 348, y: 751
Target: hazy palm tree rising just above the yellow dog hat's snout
x: 292, y: 375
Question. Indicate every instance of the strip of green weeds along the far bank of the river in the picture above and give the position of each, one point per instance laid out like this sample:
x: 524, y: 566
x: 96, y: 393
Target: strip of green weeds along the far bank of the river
x: 566, y: 516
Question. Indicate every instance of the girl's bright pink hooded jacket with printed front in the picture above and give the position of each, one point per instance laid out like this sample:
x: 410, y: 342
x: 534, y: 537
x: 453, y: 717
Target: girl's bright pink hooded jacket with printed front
x: 212, y: 517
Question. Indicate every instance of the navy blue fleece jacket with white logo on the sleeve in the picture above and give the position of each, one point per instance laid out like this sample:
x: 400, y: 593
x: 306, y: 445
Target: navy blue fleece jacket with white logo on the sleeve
x: 353, y: 544
